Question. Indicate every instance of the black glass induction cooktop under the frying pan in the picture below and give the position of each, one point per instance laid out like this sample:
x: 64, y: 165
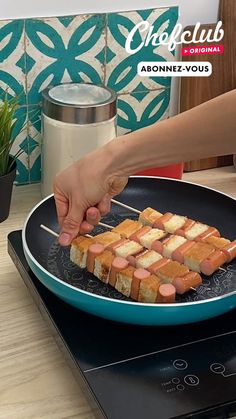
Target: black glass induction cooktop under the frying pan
x: 137, y: 372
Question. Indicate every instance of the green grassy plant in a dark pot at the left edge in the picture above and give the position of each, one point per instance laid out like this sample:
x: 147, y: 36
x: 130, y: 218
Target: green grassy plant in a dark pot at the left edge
x: 7, y: 160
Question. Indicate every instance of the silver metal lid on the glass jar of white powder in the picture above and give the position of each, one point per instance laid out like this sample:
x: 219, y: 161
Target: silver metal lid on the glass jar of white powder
x: 79, y: 103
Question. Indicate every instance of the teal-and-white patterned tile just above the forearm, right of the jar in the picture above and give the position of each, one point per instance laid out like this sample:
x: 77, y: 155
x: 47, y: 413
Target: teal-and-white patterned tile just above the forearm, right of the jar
x: 137, y: 111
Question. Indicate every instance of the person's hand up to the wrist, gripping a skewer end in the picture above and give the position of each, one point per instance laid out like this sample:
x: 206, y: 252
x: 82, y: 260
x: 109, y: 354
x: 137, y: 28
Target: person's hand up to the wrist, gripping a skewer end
x: 83, y: 195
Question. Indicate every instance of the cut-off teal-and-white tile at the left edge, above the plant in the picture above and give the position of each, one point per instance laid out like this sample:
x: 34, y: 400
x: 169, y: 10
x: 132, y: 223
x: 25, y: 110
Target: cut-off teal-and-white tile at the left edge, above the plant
x: 12, y: 49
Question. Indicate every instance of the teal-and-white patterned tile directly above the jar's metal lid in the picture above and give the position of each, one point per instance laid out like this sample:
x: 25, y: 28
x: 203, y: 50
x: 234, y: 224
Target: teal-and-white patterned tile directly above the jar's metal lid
x: 64, y: 52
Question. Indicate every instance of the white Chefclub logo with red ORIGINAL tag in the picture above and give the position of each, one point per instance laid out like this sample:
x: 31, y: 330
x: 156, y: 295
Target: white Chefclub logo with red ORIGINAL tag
x: 178, y: 37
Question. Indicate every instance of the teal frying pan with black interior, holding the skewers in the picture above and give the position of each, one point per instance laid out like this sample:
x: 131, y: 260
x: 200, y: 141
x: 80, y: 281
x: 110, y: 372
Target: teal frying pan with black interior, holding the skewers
x: 52, y: 266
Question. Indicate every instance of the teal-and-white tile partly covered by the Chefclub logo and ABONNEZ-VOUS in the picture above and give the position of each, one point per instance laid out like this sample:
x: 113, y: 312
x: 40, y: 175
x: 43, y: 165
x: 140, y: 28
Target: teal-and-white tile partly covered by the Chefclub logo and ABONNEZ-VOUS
x: 121, y: 70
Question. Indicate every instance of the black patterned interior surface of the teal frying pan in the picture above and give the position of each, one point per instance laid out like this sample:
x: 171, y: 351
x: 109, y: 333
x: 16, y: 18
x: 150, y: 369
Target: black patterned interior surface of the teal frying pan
x: 194, y: 201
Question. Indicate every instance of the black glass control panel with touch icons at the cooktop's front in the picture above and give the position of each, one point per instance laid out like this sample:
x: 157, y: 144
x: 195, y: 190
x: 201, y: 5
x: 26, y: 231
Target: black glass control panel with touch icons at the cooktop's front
x: 174, y: 381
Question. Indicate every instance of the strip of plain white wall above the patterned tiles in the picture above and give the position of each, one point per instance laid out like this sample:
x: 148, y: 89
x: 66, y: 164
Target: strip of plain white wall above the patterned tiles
x: 191, y: 11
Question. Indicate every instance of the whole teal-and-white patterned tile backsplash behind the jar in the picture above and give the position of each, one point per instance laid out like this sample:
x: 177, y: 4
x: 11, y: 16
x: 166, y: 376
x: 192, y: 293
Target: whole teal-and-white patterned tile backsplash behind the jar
x: 37, y: 52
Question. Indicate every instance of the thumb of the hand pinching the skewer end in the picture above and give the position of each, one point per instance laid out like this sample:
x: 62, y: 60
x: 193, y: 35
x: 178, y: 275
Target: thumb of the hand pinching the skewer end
x: 71, y: 224
